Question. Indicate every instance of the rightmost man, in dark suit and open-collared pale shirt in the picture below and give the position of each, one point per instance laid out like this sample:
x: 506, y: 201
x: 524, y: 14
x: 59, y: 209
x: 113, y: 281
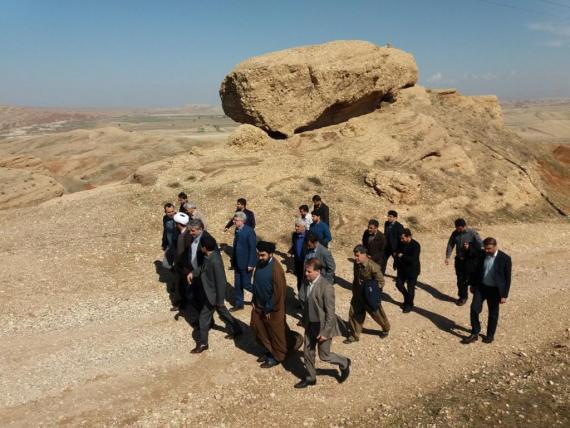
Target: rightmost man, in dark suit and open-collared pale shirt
x: 492, y: 283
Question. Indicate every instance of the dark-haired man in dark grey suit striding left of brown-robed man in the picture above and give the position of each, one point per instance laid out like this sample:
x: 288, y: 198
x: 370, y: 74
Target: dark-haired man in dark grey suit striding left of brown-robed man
x: 209, y: 283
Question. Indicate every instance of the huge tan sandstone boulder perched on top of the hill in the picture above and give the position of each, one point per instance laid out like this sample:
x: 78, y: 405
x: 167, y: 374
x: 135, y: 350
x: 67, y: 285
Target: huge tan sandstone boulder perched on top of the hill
x: 305, y: 88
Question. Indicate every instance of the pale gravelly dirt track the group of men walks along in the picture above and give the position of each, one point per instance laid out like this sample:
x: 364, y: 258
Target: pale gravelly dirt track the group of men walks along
x: 86, y: 336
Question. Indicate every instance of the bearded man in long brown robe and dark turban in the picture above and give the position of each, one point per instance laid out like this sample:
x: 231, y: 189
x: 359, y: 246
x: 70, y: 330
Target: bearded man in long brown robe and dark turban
x: 268, y: 317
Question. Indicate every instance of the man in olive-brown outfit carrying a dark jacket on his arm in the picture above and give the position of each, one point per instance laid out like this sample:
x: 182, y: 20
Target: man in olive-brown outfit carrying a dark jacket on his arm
x: 364, y: 270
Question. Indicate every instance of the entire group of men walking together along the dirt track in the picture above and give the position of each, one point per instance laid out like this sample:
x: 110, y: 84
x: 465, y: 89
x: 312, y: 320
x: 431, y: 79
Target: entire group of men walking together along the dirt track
x: 200, y: 282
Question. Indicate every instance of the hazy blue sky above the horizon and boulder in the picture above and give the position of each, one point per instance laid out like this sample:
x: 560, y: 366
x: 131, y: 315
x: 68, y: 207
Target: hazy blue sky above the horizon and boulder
x: 141, y: 53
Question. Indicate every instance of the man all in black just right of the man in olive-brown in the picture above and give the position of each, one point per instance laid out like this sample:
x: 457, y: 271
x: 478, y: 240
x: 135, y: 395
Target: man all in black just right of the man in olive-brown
x: 408, y: 266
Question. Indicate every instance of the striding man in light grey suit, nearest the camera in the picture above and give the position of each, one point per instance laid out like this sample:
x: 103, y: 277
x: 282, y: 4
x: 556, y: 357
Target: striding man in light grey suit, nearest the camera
x: 321, y: 325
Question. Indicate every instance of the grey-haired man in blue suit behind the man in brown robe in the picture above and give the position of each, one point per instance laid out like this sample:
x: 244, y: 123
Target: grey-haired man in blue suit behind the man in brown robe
x: 244, y: 258
